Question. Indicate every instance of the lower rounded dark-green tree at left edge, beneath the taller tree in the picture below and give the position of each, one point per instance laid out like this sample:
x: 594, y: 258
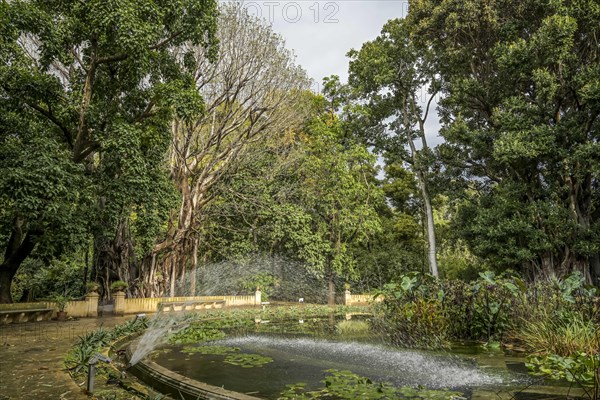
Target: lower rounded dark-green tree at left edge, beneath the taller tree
x: 44, y: 196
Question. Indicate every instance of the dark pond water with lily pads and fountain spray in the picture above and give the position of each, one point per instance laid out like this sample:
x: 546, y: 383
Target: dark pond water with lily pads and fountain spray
x: 262, y: 360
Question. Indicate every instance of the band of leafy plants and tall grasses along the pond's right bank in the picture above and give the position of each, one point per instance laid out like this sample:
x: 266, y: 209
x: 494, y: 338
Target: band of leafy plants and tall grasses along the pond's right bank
x: 559, y: 316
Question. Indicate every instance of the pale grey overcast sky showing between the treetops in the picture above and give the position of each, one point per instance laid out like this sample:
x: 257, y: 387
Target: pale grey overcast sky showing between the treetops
x: 322, y: 32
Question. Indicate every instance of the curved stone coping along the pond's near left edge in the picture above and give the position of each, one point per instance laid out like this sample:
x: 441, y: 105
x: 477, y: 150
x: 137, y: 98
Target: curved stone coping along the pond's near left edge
x: 167, y: 381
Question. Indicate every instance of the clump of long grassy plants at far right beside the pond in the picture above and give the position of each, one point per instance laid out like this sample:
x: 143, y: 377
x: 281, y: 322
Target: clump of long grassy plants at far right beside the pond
x: 560, y: 328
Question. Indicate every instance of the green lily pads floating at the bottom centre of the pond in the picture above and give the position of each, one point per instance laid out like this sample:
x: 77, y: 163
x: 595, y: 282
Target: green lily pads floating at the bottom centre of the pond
x: 347, y: 385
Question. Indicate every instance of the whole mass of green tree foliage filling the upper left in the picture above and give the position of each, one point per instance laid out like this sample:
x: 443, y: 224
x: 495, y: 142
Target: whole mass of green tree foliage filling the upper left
x: 88, y: 92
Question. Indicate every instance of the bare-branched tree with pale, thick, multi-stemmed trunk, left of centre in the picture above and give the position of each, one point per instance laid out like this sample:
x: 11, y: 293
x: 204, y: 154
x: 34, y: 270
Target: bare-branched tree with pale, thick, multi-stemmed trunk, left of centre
x: 250, y: 92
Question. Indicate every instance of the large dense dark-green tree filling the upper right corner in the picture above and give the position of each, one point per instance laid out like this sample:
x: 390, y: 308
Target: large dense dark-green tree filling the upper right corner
x: 521, y: 113
